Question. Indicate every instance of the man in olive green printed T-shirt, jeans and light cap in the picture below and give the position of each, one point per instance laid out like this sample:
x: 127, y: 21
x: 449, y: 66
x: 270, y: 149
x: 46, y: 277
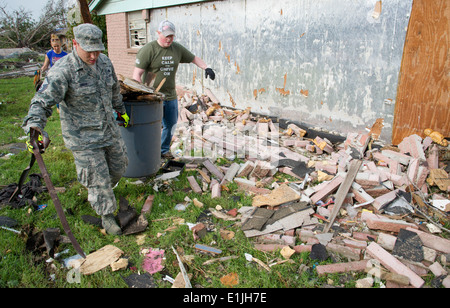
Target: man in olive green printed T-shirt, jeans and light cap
x: 157, y: 60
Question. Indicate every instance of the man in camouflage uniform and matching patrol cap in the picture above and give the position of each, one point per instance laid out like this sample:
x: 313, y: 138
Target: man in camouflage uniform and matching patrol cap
x: 85, y: 85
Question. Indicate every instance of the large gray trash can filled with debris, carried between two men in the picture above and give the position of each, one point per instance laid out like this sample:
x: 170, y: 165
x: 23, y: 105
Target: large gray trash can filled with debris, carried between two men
x: 143, y: 137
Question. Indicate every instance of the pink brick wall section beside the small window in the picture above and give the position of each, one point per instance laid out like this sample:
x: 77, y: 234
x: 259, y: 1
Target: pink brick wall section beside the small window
x: 121, y: 56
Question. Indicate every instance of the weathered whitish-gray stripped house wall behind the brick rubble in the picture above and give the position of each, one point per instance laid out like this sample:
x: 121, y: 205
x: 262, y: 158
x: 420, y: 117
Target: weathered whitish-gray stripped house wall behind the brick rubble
x: 339, y: 63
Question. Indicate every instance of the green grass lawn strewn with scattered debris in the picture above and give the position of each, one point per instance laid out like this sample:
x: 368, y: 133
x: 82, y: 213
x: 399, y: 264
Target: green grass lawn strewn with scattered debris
x: 19, y: 267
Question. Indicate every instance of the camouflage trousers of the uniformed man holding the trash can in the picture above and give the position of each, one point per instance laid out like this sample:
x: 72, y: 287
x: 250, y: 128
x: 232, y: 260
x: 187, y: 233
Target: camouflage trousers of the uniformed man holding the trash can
x: 99, y: 170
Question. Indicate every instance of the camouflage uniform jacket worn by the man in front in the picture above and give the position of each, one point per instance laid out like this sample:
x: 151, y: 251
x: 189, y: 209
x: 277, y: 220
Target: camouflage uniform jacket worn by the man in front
x: 87, y: 98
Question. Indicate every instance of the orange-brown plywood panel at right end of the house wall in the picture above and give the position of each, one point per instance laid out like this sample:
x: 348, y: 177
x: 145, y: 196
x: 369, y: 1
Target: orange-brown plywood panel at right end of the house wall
x: 423, y: 96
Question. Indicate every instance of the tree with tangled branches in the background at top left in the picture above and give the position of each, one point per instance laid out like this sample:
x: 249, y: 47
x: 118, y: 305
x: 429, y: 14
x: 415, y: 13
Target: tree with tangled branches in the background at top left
x: 18, y: 29
